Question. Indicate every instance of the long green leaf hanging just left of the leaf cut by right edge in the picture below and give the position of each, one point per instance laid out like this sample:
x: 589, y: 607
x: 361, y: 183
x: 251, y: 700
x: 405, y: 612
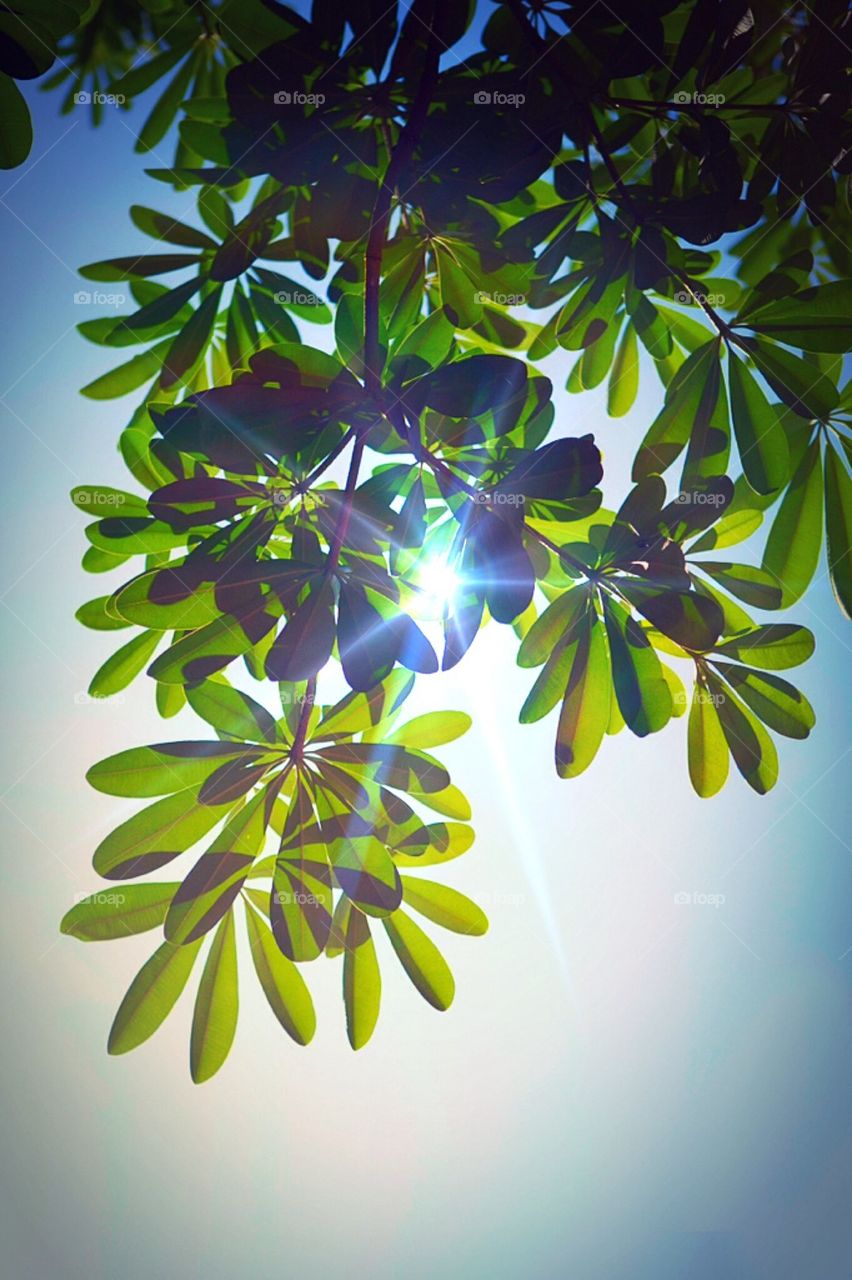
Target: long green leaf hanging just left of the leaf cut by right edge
x: 795, y: 540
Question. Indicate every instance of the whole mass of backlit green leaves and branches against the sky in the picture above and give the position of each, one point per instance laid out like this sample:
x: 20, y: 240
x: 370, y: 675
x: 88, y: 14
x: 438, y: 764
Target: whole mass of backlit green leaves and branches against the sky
x: 665, y: 190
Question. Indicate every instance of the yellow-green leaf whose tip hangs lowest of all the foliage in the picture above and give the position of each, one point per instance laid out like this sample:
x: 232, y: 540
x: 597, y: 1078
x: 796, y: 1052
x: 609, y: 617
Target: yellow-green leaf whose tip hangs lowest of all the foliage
x: 214, y: 1021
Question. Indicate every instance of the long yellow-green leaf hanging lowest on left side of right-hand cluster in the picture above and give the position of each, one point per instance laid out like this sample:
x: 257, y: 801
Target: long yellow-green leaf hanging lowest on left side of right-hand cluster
x: 585, y: 708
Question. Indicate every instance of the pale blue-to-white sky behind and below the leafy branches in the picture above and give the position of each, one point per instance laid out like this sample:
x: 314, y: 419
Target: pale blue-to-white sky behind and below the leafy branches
x: 626, y: 1089
